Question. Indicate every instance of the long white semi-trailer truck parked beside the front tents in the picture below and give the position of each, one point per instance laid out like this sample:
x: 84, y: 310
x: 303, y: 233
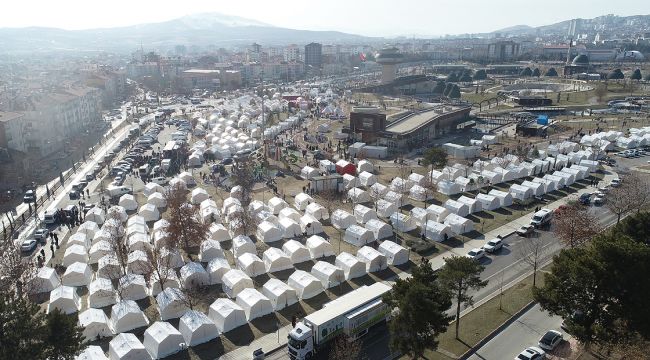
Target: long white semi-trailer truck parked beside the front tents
x: 351, y: 314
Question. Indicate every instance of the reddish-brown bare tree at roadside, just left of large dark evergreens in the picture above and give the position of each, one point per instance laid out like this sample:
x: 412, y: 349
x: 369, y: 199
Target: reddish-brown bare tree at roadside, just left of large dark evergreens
x: 574, y: 225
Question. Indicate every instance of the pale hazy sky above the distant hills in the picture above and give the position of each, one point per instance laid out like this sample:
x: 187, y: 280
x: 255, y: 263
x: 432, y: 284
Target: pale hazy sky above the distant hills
x: 365, y: 17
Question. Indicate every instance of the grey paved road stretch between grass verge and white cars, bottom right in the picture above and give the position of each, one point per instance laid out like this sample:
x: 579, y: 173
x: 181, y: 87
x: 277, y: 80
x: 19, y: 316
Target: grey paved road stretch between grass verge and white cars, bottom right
x: 524, y: 332
